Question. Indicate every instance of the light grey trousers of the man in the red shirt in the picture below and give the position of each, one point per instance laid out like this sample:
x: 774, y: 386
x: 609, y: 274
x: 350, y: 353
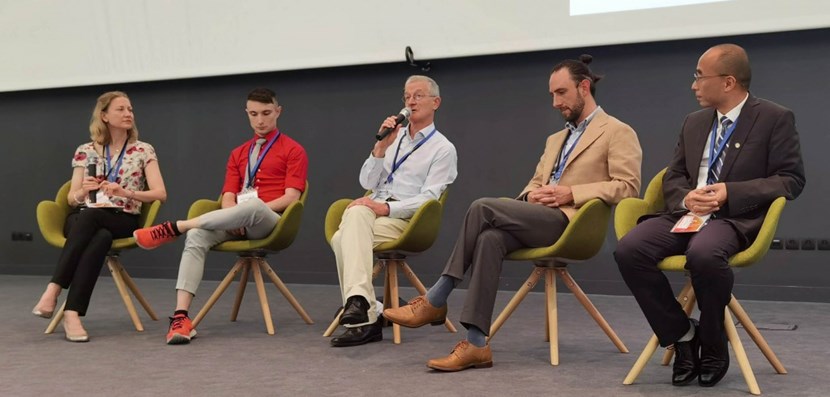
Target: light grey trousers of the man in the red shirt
x: 257, y: 219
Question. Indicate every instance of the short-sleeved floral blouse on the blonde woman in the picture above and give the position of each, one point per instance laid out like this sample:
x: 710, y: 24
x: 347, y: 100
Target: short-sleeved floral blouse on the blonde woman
x: 130, y: 176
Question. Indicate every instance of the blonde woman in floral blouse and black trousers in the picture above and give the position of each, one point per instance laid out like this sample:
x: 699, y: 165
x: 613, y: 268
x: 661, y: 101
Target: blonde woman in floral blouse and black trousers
x: 127, y: 176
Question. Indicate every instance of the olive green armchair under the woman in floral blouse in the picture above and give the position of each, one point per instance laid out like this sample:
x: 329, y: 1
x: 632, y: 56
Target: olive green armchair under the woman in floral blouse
x: 51, y: 218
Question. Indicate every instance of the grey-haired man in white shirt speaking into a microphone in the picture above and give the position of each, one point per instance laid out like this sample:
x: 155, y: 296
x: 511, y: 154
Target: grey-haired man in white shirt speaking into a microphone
x: 406, y: 168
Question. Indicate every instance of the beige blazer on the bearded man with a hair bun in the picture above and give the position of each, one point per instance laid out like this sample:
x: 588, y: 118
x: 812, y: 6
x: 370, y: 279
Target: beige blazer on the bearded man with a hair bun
x: 605, y: 163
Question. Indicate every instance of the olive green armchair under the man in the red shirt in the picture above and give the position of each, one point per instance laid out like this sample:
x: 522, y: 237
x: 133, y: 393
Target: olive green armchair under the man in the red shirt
x: 252, y: 259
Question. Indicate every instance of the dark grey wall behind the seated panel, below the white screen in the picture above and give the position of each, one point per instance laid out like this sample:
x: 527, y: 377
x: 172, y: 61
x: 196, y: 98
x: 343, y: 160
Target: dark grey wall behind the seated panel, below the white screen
x: 496, y: 110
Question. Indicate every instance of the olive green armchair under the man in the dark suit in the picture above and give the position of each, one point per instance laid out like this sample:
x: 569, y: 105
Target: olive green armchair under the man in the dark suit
x: 629, y: 212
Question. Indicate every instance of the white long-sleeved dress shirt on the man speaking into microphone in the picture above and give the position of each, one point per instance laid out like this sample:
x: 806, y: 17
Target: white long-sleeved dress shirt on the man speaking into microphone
x: 422, y: 176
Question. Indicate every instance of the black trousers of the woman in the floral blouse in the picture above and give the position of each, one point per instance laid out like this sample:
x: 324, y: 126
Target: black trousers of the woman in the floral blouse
x: 89, y: 233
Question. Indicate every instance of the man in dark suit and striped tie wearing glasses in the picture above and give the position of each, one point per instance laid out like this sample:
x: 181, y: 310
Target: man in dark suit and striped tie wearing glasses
x: 733, y: 159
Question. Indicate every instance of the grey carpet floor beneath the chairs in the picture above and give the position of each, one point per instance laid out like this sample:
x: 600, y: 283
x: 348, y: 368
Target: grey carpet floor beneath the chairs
x: 240, y: 359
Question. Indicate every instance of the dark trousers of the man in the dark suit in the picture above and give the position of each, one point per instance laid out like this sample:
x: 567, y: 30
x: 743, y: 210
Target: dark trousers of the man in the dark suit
x: 707, y: 256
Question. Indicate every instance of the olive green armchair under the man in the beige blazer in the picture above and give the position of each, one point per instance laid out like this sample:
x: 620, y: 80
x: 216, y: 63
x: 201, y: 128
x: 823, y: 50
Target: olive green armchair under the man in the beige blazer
x: 580, y: 241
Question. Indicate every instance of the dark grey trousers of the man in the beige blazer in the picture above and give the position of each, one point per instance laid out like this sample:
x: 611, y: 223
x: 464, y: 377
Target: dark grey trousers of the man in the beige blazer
x: 493, y: 228
